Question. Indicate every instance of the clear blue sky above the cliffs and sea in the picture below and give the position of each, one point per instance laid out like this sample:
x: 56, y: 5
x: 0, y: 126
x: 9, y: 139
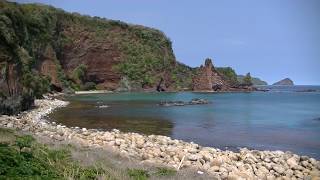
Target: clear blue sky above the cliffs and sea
x: 272, y: 39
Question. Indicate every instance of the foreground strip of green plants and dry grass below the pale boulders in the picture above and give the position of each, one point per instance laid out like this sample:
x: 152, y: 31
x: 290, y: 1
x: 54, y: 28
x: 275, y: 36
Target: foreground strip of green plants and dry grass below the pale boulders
x: 22, y: 157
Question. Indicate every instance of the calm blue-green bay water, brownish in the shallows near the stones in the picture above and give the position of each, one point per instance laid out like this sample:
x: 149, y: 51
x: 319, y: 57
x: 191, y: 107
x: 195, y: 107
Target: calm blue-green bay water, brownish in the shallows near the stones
x: 285, y: 118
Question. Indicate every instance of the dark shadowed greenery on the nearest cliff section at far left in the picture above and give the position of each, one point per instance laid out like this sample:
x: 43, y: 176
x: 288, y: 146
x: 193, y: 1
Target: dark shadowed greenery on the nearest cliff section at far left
x: 23, y: 38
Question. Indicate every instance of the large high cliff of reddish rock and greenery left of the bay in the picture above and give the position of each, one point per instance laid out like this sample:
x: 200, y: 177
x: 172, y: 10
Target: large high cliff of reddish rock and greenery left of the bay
x: 45, y: 47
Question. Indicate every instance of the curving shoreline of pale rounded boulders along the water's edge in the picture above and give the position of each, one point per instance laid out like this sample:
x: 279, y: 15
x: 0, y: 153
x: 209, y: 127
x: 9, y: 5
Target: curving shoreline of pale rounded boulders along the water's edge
x: 162, y: 150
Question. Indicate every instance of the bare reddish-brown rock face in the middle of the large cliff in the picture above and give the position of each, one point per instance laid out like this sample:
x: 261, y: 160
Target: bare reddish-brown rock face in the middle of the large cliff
x: 99, y: 57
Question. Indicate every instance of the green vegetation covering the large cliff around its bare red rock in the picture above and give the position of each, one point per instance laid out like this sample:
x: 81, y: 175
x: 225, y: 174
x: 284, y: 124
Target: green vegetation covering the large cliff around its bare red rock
x: 30, y: 32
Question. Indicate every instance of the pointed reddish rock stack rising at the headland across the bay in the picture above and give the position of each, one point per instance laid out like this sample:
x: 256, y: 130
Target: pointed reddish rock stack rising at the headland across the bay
x: 208, y: 79
